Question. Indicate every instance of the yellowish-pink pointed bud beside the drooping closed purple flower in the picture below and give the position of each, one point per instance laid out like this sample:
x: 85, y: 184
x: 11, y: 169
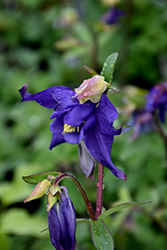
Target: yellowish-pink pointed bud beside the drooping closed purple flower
x: 39, y: 191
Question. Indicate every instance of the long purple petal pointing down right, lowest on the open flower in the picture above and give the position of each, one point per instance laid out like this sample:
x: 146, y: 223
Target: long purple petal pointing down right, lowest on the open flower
x: 99, y: 146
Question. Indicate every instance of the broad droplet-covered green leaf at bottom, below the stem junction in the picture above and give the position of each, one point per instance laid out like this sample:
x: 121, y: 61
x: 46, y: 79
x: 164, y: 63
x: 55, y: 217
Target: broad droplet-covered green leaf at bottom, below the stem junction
x: 101, y: 236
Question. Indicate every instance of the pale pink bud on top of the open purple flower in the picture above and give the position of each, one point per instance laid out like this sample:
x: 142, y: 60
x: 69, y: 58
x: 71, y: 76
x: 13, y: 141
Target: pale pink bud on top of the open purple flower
x: 91, y: 89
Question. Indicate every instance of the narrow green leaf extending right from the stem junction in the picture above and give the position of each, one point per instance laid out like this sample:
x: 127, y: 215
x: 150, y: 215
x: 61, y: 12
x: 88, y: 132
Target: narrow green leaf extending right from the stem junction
x: 121, y: 206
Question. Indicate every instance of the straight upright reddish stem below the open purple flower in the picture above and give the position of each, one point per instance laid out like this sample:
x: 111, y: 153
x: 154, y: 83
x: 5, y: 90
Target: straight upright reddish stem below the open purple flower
x: 99, y: 190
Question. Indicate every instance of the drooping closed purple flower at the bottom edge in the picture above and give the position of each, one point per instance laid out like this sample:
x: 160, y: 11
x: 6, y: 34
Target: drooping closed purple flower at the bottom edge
x: 62, y: 223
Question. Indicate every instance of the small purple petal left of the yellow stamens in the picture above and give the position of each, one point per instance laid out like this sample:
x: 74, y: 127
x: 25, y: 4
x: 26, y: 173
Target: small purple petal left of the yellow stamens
x: 56, y: 127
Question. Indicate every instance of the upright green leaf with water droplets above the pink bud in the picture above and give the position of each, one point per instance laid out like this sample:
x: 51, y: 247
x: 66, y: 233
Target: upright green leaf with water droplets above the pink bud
x: 108, y: 67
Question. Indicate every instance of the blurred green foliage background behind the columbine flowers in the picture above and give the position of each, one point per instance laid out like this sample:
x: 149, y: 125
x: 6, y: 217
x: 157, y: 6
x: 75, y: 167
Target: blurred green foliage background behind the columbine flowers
x: 45, y: 43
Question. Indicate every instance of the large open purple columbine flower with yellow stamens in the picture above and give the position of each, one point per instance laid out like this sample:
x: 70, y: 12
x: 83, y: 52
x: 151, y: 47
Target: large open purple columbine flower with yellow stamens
x: 89, y: 125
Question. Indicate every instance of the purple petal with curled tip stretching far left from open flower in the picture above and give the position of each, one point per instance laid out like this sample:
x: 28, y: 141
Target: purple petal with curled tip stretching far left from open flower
x: 44, y: 98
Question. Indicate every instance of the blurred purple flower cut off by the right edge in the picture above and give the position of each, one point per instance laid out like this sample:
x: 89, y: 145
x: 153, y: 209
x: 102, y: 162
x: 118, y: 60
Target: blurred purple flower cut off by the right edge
x: 157, y: 100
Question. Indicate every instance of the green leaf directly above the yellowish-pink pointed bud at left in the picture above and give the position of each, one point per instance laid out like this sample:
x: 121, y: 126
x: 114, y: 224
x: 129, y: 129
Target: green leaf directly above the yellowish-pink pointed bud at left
x: 36, y: 178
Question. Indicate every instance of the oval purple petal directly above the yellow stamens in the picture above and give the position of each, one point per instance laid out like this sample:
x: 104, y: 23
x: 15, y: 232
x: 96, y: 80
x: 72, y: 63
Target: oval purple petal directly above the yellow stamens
x: 79, y: 114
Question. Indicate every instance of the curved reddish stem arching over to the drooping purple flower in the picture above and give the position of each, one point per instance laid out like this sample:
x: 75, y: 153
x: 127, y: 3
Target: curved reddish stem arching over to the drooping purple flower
x: 82, y: 191
